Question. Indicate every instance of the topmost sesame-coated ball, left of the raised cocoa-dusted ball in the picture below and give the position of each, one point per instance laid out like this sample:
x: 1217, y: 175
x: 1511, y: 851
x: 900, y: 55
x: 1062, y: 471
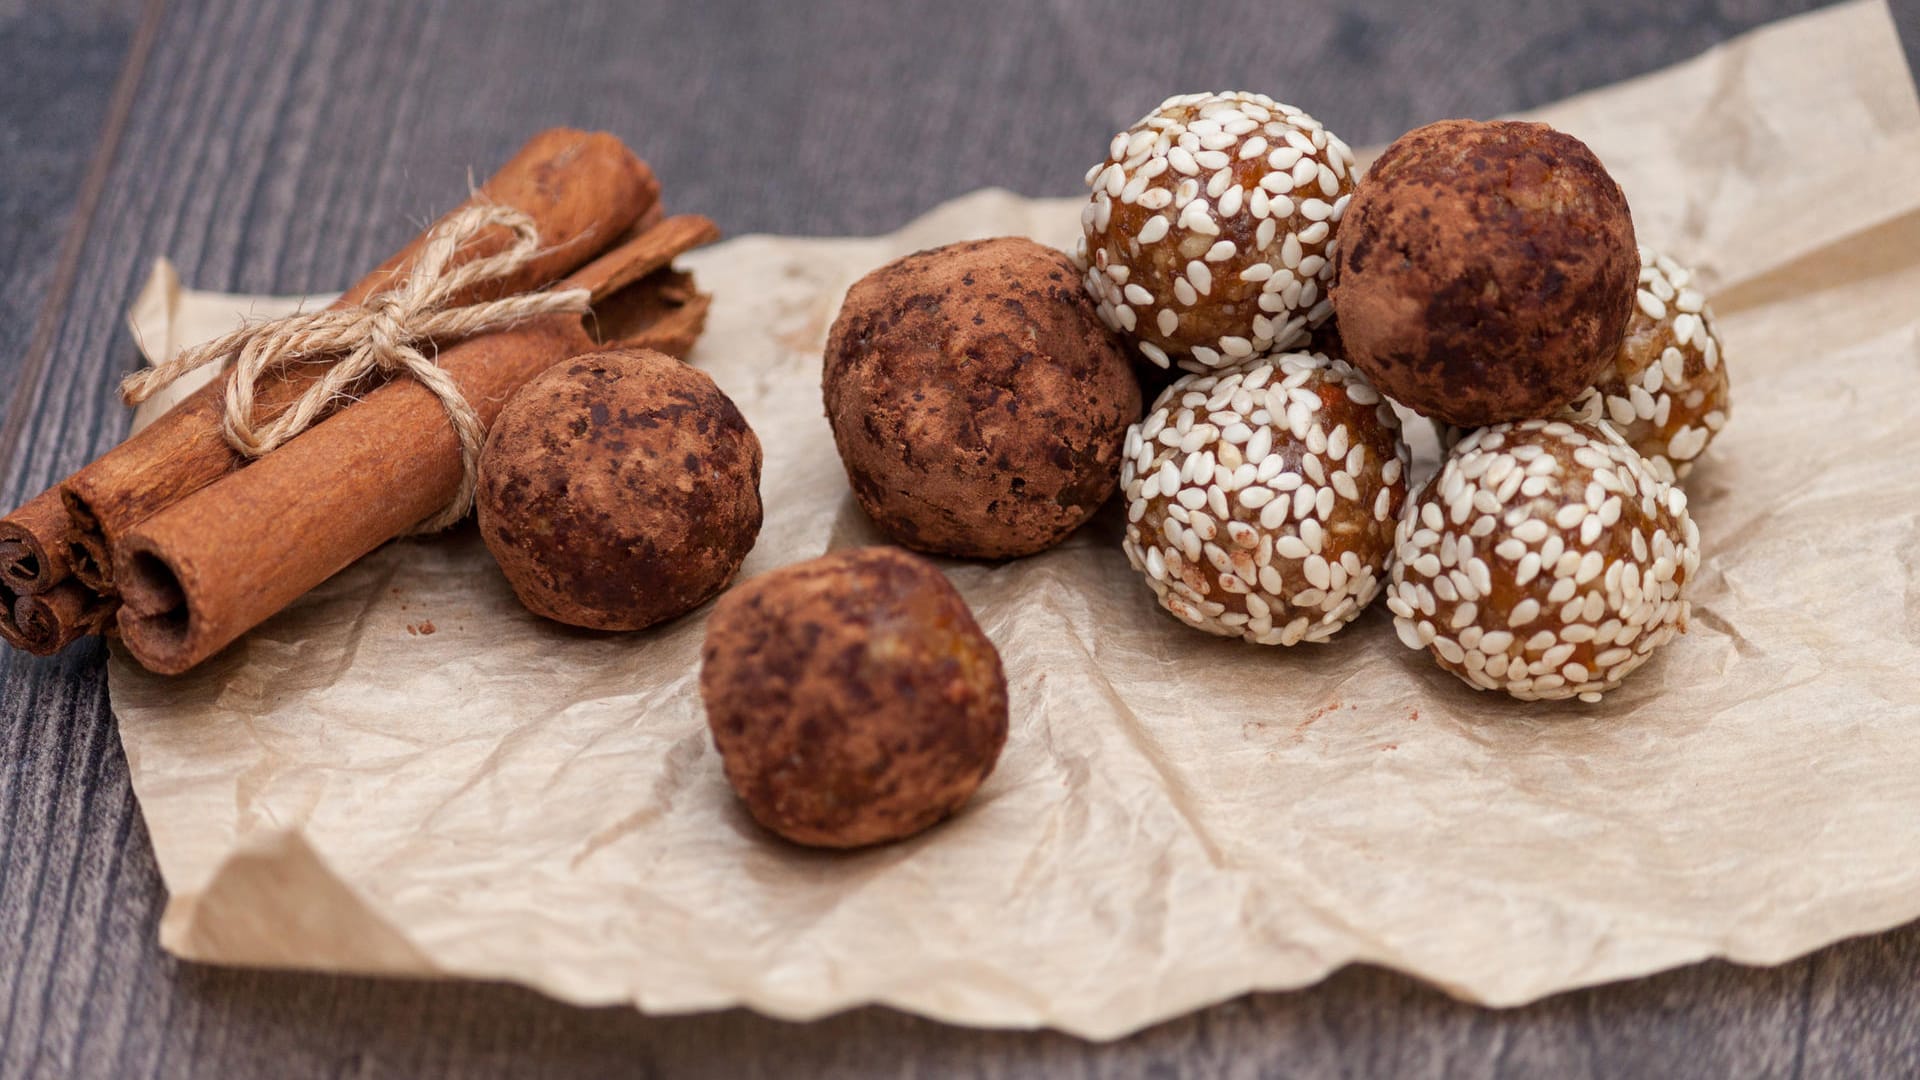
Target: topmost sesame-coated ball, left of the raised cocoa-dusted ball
x: 1211, y: 232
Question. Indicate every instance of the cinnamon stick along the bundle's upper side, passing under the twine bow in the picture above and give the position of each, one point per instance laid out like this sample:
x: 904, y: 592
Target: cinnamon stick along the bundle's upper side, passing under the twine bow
x: 583, y: 189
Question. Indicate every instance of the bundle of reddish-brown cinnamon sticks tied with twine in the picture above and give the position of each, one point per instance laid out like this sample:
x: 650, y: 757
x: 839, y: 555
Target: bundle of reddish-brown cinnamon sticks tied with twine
x: 180, y: 543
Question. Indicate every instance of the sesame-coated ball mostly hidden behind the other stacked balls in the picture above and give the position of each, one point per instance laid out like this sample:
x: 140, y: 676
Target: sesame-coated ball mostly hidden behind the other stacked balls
x: 1666, y: 391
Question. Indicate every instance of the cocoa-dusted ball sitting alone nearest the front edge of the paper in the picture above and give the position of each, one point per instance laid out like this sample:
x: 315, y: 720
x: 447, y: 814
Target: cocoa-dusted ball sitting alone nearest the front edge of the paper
x: 853, y: 699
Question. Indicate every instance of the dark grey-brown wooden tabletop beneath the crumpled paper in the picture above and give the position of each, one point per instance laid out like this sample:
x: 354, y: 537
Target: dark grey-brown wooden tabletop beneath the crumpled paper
x: 285, y: 147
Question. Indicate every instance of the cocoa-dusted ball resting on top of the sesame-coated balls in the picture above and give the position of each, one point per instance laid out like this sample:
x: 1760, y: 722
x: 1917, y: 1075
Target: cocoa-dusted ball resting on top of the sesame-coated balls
x: 1485, y: 272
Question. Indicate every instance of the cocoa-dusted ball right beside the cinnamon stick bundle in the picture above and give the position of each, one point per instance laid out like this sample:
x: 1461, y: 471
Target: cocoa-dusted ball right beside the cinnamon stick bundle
x: 619, y: 489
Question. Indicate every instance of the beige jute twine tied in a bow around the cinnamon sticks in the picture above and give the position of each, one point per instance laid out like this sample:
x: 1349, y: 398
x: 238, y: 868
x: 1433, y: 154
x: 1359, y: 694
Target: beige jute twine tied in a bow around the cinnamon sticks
x: 379, y: 337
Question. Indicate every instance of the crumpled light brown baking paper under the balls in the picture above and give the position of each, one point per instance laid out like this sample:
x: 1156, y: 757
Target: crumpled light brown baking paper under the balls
x: 1176, y: 820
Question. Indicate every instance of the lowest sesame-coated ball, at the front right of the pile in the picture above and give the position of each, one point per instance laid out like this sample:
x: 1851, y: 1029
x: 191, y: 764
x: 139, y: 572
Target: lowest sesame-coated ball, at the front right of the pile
x: 1545, y: 560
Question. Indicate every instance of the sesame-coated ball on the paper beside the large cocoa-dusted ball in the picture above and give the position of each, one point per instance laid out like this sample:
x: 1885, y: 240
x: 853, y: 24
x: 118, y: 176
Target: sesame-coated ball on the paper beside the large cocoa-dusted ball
x: 1262, y: 499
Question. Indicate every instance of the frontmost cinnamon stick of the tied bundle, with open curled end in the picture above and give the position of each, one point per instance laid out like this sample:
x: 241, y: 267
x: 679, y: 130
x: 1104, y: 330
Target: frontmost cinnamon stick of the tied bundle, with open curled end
x: 220, y: 562
